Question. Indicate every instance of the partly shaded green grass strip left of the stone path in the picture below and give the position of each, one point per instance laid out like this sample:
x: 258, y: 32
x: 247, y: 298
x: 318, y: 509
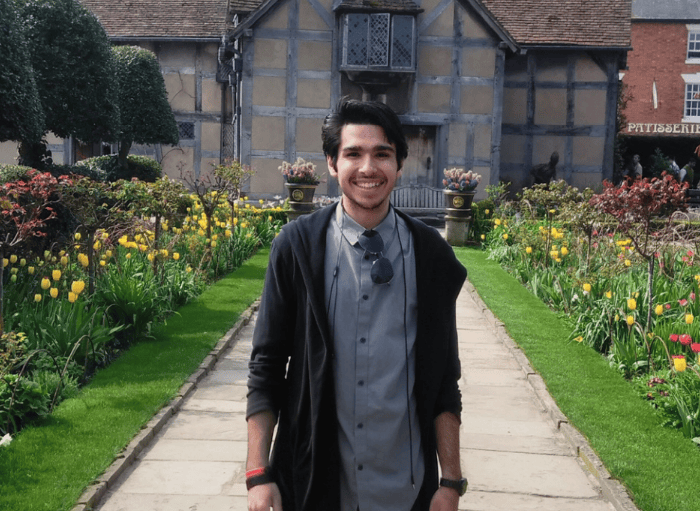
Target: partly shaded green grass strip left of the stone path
x: 48, y: 466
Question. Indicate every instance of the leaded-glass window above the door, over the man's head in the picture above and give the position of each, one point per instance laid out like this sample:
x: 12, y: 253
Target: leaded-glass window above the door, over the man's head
x: 379, y: 41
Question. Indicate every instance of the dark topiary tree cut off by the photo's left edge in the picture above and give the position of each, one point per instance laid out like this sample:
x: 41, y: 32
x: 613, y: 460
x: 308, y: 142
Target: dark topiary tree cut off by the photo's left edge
x: 21, y: 115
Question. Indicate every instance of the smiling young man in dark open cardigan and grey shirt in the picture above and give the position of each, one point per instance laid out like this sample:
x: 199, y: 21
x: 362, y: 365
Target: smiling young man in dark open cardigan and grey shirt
x: 355, y: 348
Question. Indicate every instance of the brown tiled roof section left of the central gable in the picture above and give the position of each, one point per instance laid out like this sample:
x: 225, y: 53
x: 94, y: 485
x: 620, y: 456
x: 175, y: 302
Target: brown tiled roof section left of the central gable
x: 161, y: 19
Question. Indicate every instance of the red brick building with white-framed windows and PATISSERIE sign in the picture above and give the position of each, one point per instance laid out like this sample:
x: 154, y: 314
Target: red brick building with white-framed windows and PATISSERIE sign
x: 663, y: 80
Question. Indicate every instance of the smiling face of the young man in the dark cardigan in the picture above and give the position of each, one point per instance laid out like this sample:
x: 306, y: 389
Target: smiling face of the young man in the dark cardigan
x: 366, y: 169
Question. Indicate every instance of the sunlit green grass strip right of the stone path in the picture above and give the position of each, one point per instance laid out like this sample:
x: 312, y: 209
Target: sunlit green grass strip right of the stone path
x: 657, y: 464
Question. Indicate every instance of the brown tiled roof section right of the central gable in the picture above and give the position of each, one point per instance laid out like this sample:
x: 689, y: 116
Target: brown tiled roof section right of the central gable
x: 591, y: 23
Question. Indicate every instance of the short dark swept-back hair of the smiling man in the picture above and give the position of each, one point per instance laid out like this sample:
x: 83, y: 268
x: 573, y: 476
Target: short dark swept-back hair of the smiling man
x: 374, y: 113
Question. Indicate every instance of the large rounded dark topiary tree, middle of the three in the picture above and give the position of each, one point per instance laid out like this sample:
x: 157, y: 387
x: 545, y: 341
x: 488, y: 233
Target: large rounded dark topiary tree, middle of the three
x: 74, y: 71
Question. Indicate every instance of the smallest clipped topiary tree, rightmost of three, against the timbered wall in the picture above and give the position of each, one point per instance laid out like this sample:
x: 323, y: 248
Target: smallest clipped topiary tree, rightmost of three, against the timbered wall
x: 146, y: 116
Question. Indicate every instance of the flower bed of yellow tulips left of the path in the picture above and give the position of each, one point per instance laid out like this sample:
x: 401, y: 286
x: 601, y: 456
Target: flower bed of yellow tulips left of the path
x: 123, y: 264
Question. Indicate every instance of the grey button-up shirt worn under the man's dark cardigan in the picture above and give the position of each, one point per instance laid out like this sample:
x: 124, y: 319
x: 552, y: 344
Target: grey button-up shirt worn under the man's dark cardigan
x: 374, y: 330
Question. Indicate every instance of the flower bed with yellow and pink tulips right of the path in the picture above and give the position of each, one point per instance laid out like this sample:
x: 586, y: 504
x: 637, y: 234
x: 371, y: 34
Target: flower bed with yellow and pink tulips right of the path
x: 624, y: 266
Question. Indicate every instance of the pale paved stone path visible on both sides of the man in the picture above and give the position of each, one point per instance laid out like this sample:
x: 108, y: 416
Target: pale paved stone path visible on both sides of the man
x: 518, y: 451
